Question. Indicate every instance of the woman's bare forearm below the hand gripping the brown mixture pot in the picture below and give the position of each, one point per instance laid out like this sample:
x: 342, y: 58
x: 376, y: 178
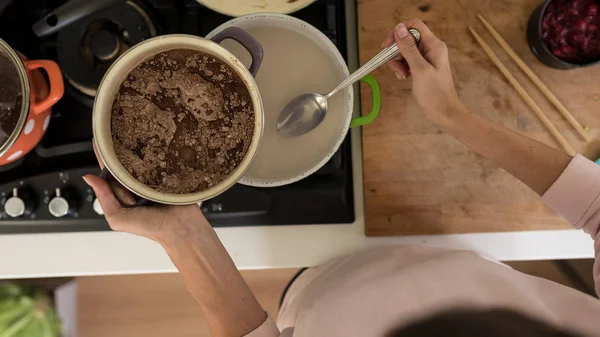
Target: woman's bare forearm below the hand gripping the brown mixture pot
x: 213, y: 279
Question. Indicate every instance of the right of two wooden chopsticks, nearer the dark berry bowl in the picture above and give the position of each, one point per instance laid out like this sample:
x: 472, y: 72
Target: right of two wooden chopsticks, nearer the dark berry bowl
x: 535, y: 79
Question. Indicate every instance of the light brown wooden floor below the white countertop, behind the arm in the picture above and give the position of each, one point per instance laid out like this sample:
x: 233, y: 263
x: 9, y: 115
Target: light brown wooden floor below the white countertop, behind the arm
x: 159, y: 305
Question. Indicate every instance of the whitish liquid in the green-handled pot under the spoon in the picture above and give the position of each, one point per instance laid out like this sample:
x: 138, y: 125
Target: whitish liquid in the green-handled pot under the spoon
x: 293, y: 64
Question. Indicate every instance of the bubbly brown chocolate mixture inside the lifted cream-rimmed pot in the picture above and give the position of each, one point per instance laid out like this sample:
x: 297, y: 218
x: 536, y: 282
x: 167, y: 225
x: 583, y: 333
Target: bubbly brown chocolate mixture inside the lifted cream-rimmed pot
x: 182, y: 121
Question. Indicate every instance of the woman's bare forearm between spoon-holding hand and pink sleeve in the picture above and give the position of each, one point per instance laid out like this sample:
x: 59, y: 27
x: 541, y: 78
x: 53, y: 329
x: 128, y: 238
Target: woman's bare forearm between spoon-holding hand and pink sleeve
x: 535, y: 164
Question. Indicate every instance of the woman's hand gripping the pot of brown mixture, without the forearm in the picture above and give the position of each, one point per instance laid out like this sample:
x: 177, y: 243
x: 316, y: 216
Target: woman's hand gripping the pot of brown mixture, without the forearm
x: 161, y: 223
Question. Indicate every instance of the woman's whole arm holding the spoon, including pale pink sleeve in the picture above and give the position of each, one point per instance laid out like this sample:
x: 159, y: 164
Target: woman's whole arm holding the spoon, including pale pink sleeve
x: 570, y: 186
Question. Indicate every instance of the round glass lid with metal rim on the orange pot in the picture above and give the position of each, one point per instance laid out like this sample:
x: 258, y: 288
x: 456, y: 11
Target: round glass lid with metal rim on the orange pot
x: 14, y: 96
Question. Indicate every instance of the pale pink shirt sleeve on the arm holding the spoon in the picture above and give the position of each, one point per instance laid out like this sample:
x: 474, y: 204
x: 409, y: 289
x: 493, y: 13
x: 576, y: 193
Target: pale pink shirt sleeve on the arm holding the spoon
x: 575, y: 196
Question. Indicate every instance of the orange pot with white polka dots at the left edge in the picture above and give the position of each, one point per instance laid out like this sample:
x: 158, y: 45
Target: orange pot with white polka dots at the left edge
x: 25, y: 110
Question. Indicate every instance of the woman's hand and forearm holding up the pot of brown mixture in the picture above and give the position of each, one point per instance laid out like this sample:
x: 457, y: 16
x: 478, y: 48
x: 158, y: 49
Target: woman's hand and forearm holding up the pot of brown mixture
x: 207, y: 269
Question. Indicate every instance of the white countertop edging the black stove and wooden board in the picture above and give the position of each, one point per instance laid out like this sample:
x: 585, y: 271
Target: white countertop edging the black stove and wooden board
x: 101, y: 253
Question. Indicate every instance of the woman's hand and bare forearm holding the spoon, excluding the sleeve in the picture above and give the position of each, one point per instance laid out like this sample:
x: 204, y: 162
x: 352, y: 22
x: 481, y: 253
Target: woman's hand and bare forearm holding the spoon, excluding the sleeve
x: 535, y: 164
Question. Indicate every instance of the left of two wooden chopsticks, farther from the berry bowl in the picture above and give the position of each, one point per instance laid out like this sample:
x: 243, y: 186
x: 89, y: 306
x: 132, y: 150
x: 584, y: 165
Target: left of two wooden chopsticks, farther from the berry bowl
x: 536, y: 109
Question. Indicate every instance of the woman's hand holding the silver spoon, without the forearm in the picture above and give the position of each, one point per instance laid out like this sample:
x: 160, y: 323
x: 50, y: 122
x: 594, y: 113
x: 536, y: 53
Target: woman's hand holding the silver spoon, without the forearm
x: 428, y: 63
